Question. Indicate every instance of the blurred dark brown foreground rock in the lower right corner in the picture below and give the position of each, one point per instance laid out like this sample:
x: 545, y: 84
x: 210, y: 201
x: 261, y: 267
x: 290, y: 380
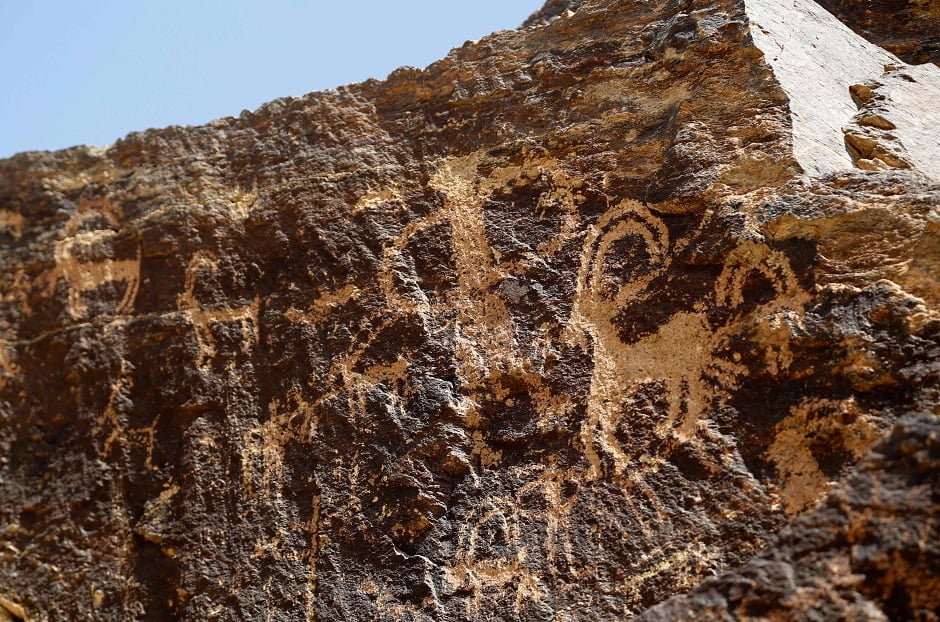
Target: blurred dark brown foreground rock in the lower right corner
x: 864, y: 554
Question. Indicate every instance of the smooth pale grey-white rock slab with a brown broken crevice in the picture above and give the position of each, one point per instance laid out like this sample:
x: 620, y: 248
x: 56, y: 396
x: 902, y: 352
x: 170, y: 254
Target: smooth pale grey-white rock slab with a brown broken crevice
x: 823, y: 66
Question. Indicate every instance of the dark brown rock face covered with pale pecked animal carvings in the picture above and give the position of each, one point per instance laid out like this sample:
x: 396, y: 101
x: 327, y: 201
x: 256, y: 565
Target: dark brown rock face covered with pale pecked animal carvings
x: 587, y: 320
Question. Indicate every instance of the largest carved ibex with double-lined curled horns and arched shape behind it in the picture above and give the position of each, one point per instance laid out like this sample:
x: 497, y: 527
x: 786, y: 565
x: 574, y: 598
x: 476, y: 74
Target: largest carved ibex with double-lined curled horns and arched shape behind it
x: 623, y: 254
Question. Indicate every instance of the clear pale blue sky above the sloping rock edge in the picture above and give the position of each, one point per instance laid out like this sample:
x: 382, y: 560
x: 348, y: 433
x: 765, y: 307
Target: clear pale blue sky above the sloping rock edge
x: 90, y: 71
